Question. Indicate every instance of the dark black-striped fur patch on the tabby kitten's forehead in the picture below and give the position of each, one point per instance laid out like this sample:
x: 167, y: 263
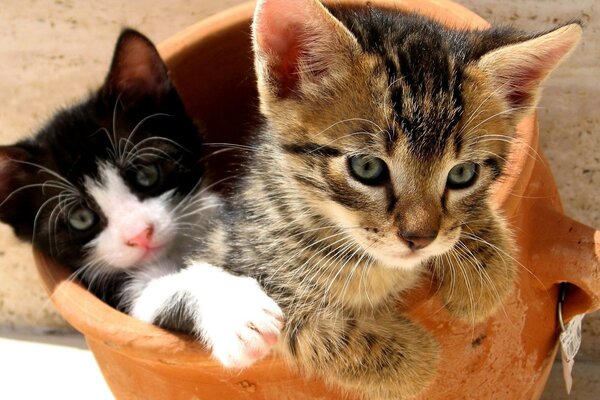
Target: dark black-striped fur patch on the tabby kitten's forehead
x: 423, y: 77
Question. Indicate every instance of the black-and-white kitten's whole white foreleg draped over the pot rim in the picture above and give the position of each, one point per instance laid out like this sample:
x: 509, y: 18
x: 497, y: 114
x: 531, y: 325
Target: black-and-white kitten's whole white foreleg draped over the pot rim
x: 231, y: 314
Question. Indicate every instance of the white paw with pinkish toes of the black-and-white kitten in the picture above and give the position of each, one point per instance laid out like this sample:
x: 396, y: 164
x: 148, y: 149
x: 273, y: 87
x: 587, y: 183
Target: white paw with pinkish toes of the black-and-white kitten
x: 243, y: 325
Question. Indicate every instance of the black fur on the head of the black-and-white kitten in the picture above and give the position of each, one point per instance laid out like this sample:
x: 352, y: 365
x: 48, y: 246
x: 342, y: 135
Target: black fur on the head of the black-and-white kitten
x: 76, y: 140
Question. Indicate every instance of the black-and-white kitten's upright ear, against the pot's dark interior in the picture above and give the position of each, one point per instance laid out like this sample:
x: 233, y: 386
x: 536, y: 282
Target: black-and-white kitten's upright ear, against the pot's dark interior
x: 137, y: 70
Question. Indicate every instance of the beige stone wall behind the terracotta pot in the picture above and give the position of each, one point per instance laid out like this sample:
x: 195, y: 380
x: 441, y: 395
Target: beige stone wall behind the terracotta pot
x: 53, y: 52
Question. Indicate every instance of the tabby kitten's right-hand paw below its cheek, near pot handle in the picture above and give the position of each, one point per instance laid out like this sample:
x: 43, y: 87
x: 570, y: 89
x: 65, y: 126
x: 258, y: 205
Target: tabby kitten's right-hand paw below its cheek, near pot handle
x: 476, y: 276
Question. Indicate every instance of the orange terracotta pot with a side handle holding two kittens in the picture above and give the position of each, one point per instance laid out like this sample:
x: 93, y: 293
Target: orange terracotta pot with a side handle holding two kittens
x: 507, y: 357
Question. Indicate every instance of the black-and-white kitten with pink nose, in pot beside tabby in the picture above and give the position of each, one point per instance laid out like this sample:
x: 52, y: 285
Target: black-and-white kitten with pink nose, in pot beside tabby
x: 109, y: 187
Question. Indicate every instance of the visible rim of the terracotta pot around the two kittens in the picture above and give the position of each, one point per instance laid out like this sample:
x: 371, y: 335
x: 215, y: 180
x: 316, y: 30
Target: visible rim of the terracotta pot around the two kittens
x: 92, y: 317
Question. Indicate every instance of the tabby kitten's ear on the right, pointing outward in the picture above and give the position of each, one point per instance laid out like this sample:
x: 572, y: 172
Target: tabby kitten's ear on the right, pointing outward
x: 516, y: 71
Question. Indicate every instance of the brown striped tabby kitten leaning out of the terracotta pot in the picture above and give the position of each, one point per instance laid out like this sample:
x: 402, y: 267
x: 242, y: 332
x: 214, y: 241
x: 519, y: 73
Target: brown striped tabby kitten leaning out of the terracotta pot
x: 384, y: 133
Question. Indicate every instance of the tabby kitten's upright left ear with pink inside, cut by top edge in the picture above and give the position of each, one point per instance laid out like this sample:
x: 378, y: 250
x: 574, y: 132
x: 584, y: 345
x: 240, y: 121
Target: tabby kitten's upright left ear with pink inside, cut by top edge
x: 298, y: 45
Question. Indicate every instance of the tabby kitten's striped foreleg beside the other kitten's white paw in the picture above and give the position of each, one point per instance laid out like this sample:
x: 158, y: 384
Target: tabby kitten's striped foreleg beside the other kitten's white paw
x: 384, y: 356
